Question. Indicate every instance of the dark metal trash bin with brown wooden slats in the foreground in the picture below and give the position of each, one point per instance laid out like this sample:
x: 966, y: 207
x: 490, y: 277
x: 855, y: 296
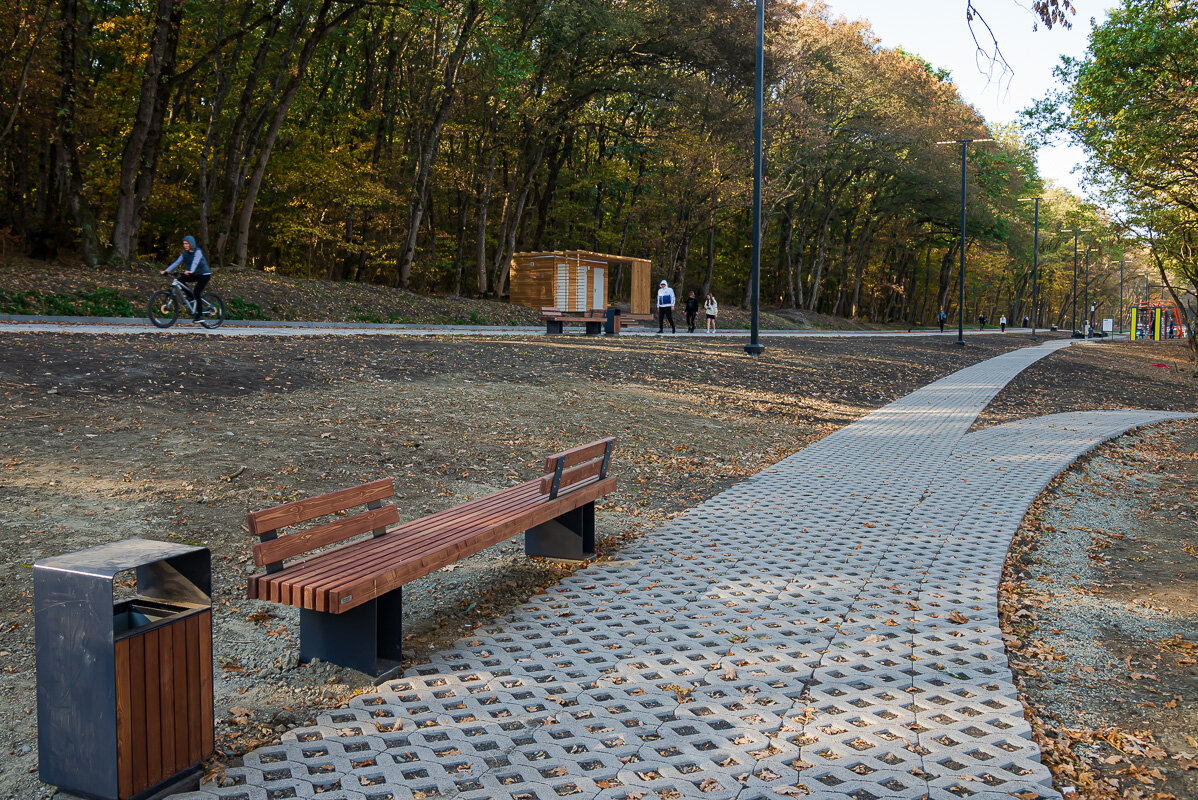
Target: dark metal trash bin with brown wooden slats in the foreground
x: 124, y: 671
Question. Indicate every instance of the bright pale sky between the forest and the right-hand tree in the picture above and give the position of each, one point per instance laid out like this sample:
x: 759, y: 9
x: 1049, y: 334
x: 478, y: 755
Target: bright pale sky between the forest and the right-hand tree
x: 937, y: 31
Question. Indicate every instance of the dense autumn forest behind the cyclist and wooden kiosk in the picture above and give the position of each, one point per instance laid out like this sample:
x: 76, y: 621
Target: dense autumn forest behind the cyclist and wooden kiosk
x: 420, y: 144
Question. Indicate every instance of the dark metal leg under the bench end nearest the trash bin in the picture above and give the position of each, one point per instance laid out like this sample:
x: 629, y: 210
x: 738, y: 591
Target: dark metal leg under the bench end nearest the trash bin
x: 367, y: 639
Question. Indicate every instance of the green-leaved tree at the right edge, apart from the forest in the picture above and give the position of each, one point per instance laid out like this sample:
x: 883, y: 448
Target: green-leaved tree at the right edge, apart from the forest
x: 1130, y: 102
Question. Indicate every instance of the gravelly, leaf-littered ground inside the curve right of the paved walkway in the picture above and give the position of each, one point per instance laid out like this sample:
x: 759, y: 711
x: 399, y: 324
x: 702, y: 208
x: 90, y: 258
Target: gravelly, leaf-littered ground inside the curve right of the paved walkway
x: 1102, y: 619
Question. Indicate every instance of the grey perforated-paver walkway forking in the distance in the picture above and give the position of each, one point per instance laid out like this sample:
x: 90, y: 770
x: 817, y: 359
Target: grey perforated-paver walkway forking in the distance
x: 828, y: 623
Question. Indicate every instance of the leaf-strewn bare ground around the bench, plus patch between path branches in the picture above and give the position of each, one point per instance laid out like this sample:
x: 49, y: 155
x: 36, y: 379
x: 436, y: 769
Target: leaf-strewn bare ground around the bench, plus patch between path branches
x: 165, y: 438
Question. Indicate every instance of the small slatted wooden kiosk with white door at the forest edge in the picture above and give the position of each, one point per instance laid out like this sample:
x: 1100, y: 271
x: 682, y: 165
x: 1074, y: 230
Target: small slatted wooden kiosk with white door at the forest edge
x: 577, y: 281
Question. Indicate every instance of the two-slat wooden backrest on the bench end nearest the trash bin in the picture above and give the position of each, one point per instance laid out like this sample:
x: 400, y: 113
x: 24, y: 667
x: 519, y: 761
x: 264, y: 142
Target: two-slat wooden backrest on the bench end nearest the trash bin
x: 274, y: 549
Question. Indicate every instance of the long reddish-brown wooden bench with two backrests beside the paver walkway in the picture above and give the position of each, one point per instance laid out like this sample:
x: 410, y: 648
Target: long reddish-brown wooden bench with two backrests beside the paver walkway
x: 350, y: 593
